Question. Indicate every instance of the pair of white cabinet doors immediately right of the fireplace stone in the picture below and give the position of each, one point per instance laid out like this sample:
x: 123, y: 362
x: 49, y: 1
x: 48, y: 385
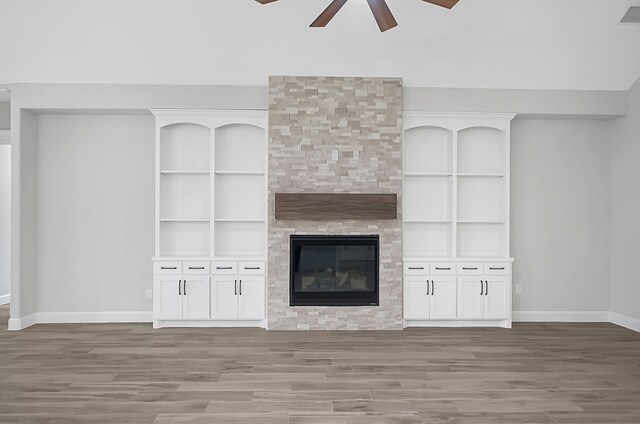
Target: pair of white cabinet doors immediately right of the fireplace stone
x: 430, y: 297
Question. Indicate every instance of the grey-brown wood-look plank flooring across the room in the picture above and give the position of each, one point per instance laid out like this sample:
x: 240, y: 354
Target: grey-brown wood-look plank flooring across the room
x: 129, y: 373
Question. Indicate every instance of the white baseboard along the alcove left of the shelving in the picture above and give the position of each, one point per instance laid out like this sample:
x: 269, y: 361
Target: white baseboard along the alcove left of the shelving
x: 78, y: 318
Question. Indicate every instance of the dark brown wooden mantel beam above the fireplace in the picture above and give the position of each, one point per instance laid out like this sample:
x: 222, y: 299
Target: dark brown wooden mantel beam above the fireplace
x: 329, y: 206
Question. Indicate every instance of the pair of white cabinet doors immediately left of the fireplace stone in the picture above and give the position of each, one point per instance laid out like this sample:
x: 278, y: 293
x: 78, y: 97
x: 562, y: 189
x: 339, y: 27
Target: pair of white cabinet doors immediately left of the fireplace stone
x: 237, y: 297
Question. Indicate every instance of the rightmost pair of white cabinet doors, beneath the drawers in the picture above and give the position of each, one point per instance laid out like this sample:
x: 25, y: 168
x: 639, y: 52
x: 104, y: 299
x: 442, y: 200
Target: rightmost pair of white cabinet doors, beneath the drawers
x: 484, y: 298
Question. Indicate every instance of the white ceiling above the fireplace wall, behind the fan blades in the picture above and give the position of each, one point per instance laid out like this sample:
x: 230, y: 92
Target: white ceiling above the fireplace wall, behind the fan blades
x: 536, y: 44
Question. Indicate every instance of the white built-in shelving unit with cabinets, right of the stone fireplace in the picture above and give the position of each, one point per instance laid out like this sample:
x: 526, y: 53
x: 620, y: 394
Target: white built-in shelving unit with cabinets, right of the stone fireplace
x: 455, y: 209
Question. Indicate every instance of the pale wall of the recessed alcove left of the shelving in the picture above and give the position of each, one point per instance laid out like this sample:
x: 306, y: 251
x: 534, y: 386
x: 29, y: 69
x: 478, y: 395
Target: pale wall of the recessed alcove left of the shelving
x: 95, y: 213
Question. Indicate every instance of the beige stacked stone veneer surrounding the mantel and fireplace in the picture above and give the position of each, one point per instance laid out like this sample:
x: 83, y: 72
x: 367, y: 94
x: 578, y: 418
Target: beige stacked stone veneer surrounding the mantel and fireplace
x: 309, y: 117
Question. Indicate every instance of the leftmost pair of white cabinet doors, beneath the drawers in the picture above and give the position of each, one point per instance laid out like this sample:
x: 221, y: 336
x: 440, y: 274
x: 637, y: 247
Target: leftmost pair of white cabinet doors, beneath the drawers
x: 181, y: 297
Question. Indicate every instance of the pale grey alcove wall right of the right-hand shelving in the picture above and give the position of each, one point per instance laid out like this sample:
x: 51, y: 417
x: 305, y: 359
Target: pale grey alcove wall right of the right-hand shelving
x: 560, y: 214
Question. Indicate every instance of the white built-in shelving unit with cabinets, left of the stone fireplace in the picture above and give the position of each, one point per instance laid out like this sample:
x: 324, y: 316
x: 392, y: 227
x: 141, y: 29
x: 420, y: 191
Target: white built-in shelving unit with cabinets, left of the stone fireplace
x: 211, y: 216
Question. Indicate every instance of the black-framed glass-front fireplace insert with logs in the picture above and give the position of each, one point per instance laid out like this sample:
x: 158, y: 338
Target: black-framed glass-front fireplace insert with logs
x: 334, y: 270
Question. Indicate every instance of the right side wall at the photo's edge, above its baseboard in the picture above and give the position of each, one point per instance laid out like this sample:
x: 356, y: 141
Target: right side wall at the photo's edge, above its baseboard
x: 625, y: 215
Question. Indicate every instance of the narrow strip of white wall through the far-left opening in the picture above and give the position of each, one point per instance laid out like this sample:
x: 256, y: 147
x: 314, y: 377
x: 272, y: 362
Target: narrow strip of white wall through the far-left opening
x: 5, y: 220
